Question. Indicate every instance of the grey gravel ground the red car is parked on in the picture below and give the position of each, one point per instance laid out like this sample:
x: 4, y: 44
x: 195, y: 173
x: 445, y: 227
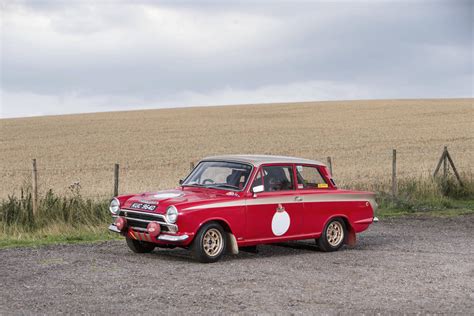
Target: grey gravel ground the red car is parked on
x: 402, y: 265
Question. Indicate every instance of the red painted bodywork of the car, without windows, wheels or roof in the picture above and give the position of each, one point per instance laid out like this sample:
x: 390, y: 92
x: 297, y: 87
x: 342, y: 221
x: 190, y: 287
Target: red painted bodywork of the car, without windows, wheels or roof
x: 249, y: 218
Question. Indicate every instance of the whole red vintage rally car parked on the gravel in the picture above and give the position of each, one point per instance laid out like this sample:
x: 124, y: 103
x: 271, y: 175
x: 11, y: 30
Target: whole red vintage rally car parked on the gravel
x: 240, y: 201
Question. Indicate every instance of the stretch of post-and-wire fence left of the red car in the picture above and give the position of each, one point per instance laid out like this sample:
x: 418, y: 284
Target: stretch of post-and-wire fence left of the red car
x: 90, y: 182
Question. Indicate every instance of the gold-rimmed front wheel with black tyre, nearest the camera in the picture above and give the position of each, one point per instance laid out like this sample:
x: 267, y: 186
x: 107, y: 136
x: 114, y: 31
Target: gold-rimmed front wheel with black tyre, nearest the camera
x: 210, y: 243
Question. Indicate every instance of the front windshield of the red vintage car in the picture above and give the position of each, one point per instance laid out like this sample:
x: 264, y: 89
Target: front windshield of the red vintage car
x: 219, y: 175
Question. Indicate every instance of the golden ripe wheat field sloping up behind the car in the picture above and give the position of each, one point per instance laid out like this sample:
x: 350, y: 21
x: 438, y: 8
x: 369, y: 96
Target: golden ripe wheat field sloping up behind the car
x: 155, y: 147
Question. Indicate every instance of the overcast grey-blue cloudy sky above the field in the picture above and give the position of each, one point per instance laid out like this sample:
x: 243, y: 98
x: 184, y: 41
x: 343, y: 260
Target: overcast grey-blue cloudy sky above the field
x: 77, y: 56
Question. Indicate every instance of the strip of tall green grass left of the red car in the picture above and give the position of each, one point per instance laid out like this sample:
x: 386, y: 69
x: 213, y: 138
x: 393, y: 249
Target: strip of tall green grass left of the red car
x: 60, y: 219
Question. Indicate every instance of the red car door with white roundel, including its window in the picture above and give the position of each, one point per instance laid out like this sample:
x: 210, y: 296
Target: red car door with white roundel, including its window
x: 275, y: 213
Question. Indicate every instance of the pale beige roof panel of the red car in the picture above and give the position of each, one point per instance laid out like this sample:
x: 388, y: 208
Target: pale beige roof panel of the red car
x: 258, y: 160
